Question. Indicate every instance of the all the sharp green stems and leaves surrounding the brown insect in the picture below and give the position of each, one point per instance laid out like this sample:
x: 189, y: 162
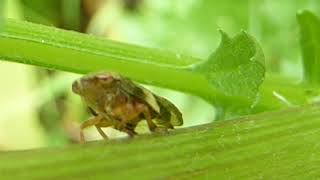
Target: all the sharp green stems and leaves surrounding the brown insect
x: 232, y: 78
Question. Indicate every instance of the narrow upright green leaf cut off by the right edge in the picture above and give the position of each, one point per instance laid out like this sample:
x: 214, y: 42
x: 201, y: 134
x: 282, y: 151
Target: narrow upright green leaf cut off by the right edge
x: 310, y: 46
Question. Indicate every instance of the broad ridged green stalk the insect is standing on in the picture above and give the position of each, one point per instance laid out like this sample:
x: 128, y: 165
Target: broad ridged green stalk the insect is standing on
x: 273, y: 145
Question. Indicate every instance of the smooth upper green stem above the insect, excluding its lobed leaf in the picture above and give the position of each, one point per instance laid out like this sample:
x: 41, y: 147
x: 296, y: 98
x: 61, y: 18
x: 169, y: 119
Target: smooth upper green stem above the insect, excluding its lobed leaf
x: 70, y: 51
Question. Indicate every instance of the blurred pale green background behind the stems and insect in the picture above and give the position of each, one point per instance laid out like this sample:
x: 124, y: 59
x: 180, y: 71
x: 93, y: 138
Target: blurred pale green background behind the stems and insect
x: 37, y: 107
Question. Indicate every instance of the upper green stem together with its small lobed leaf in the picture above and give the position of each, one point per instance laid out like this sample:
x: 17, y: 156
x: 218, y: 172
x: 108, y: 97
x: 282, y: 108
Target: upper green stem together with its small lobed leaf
x: 75, y: 52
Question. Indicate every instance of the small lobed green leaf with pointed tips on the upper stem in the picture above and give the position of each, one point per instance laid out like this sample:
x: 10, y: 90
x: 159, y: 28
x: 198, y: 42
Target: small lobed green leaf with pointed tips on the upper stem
x: 237, y: 67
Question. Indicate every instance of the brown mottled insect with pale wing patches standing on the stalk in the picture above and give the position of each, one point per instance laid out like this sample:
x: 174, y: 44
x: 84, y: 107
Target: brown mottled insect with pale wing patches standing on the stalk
x: 116, y: 101
